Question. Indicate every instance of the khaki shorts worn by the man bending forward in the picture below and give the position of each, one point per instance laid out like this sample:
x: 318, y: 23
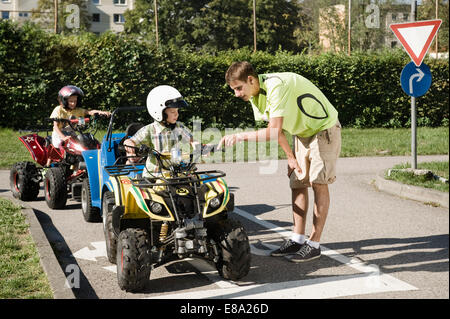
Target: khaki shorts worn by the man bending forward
x: 317, y: 156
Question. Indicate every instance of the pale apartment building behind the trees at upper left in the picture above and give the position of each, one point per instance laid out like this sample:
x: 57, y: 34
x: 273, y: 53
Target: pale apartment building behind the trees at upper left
x: 104, y: 15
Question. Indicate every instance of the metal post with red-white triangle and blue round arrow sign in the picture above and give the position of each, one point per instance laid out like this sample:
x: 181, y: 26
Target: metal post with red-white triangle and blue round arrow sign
x: 416, y: 38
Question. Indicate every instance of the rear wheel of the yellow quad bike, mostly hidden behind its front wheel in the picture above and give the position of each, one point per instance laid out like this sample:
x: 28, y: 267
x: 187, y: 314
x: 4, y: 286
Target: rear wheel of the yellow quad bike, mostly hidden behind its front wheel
x: 110, y: 235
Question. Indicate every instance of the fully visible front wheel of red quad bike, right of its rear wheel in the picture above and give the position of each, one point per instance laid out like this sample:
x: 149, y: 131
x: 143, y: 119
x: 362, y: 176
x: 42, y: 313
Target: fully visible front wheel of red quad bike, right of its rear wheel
x: 55, y: 187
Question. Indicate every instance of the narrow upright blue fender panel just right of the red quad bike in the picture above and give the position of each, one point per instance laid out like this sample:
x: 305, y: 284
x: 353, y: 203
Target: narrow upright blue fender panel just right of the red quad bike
x: 91, y: 158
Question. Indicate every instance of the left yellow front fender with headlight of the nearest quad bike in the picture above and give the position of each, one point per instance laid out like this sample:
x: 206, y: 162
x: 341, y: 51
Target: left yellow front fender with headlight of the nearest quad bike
x: 135, y: 200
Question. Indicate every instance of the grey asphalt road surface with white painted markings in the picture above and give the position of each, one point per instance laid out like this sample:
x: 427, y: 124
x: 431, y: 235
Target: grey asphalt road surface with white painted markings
x: 375, y: 244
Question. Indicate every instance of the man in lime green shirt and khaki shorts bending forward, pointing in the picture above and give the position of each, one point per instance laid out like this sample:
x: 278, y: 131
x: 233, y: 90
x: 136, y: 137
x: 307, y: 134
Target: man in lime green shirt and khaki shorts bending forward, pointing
x: 290, y: 102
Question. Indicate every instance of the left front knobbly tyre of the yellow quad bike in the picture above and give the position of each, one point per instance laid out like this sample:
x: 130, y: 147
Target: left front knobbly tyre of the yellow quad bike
x: 133, y: 259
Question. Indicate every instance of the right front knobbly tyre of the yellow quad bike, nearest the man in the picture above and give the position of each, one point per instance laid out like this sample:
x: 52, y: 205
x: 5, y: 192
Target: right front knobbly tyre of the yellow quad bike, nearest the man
x: 234, y: 249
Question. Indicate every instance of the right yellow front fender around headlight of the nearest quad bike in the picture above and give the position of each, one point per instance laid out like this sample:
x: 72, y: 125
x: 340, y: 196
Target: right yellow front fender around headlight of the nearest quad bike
x: 217, y: 188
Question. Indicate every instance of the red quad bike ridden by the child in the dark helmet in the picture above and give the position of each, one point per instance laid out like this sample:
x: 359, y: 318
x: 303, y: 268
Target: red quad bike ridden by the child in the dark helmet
x: 66, y: 172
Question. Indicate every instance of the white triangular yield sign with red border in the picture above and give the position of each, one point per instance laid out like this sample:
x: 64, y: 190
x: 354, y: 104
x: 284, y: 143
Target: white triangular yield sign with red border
x: 416, y: 37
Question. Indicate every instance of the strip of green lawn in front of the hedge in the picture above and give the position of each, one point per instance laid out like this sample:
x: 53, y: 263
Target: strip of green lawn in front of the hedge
x: 355, y: 142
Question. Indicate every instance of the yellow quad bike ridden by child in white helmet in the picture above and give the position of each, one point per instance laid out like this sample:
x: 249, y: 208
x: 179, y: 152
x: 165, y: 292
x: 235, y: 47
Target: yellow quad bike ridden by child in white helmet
x: 178, y: 213
